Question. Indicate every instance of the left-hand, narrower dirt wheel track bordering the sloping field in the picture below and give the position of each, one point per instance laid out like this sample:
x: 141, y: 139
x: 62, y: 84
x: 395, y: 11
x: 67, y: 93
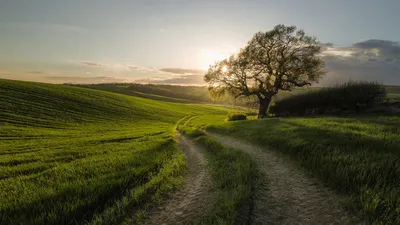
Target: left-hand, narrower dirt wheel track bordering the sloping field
x: 189, y: 203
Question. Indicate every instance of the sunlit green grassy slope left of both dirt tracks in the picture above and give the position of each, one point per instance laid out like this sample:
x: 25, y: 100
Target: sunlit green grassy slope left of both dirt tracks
x: 69, y: 154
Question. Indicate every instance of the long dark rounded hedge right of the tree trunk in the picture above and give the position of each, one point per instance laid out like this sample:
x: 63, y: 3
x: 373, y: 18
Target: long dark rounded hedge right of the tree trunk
x: 351, y: 97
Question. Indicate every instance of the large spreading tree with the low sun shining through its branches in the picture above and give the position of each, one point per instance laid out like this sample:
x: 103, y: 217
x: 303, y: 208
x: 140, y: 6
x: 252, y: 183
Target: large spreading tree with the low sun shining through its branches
x: 280, y: 59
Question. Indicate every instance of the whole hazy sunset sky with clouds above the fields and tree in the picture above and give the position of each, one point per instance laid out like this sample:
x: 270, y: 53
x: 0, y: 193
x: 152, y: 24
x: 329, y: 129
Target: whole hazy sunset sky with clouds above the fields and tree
x: 174, y: 41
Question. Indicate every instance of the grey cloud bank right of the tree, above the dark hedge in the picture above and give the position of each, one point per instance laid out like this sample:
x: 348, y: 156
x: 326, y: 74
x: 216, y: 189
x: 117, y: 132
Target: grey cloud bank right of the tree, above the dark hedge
x: 372, y: 60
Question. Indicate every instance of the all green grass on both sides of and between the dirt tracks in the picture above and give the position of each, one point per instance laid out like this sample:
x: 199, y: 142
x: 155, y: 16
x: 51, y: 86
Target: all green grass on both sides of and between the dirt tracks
x: 84, y: 156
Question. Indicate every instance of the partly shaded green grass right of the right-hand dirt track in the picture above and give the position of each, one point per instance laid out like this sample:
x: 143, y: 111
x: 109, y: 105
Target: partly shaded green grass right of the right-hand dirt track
x: 358, y: 157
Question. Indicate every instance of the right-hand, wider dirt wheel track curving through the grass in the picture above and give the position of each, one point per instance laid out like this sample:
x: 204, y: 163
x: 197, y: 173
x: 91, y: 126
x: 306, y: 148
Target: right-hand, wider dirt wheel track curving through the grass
x: 290, y: 196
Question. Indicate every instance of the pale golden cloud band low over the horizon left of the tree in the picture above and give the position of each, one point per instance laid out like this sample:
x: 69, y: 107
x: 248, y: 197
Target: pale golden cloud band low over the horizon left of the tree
x: 87, y: 72
